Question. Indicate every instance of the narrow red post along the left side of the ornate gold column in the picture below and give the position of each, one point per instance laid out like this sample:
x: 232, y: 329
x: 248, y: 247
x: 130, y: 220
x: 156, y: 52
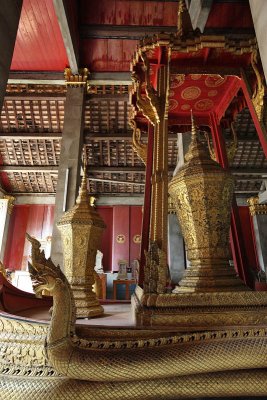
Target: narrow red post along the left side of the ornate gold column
x: 147, y: 204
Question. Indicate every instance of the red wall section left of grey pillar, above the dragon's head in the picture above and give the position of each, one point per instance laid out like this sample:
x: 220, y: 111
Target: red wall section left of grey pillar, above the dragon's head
x: 35, y: 219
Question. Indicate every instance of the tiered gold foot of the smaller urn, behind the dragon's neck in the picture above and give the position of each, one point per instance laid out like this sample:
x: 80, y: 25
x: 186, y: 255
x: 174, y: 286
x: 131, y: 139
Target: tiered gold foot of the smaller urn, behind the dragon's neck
x: 86, y: 303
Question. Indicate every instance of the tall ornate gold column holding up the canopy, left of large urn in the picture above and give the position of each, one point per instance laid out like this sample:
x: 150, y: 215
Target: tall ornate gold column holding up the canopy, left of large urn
x: 155, y: 107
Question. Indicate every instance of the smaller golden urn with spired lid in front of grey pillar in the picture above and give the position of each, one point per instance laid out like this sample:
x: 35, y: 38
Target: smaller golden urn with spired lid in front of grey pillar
x: 81, y: 230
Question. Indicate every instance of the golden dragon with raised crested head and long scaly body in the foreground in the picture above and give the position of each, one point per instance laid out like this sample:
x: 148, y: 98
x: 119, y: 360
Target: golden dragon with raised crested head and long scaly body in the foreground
x: 113, y: 364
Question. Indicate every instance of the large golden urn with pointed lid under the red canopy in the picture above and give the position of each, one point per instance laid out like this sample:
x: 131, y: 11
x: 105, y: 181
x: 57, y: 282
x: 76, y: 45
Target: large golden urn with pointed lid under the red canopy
x: 202, y: 194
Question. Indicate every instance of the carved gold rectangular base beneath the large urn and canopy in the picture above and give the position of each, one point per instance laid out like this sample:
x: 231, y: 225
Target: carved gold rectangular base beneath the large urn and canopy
x: 200, y: 311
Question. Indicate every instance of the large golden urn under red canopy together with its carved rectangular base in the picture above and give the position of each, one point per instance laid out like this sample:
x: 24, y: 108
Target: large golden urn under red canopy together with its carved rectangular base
x: 210, y: 295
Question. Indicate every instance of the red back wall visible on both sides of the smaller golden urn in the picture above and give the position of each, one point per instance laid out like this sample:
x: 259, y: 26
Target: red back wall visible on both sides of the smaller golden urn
x: 38, y: 220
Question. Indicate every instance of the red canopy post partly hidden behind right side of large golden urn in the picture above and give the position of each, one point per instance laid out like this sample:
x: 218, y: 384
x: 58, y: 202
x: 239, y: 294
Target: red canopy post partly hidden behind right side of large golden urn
x: 236, y: 236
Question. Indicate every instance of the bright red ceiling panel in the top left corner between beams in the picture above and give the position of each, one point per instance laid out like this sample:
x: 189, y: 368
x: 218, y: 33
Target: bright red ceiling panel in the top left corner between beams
x: 39, y: 45
